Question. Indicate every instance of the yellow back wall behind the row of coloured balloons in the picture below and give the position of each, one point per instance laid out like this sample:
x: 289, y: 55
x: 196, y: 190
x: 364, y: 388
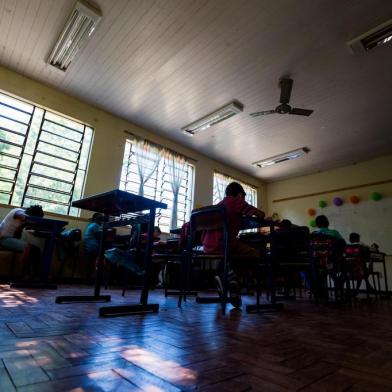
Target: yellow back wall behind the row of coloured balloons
x: 349, y: 176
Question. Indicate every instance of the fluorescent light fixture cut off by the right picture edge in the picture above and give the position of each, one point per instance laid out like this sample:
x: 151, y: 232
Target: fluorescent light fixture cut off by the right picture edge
x: 378, y: 36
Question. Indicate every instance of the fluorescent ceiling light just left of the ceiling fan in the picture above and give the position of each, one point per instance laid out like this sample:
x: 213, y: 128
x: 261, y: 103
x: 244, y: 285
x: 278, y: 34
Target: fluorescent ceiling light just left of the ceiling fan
x: 213, y: 118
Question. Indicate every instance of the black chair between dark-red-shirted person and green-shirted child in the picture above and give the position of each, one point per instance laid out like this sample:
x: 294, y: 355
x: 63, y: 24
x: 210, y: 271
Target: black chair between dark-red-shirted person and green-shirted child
x: 291, y: 254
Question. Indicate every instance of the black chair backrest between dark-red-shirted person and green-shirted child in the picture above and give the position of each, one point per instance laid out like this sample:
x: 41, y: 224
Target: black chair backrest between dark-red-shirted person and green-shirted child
x: 291, y: 245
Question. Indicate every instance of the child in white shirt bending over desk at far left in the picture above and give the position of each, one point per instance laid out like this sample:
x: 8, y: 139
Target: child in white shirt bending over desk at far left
x: 10, y: 231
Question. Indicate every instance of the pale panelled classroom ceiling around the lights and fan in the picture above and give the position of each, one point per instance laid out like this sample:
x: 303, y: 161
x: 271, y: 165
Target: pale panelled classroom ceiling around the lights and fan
x: 165, y: 63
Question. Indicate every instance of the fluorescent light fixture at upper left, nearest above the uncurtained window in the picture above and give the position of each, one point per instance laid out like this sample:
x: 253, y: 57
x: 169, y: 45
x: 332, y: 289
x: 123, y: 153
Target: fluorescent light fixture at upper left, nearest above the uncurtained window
x: 77, y: 31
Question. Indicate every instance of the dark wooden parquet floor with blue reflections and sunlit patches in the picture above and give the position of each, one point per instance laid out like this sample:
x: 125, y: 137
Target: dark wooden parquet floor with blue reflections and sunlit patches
x: 49, y: 347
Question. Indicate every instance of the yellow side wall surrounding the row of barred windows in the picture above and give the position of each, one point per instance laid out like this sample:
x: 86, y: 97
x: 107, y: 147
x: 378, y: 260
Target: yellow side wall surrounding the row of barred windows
x: 109, y: 139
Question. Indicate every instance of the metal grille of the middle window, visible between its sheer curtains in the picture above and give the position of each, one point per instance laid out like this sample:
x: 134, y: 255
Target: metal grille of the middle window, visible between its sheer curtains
x: 158, y: 187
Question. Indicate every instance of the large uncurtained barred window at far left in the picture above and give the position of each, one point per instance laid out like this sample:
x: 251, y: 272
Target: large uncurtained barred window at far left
x: 43, y: 157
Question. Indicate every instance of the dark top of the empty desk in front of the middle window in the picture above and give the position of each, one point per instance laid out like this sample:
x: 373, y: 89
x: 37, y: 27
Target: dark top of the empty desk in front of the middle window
x: 117, y: 202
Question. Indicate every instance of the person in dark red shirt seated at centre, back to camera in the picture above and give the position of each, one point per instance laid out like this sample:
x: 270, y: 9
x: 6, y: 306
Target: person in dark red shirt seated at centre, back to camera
x: 212, y: 240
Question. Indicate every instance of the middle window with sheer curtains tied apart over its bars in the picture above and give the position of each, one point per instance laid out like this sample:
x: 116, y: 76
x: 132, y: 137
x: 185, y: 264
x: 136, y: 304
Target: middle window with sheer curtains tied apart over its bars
x: 154, y: 165
